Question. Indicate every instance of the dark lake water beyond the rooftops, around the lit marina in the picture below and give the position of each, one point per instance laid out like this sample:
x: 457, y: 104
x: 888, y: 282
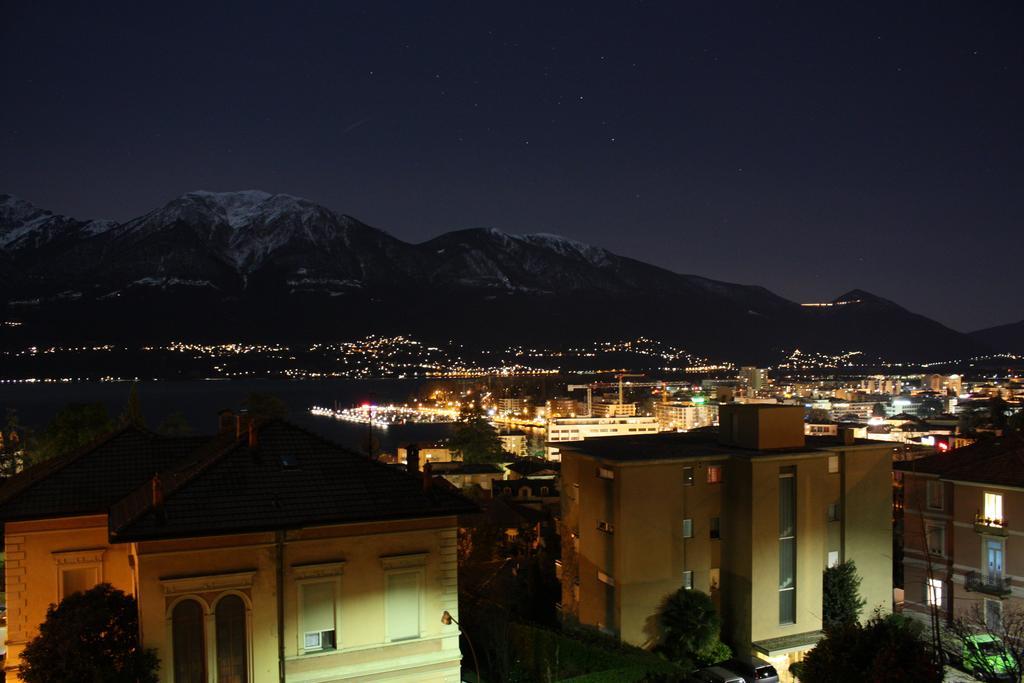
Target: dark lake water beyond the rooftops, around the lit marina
x: 200, y: 401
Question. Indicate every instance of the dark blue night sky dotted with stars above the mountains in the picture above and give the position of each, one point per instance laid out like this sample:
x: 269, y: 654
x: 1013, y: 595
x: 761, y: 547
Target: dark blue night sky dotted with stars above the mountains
x: 810, y: 148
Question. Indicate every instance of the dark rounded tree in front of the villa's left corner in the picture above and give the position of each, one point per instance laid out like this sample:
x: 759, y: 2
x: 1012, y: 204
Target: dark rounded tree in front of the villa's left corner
x: 91, y: 636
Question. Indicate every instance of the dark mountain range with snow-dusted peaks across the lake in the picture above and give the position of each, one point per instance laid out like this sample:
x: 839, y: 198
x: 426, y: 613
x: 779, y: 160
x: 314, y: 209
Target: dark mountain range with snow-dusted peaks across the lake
x: 254, y: 267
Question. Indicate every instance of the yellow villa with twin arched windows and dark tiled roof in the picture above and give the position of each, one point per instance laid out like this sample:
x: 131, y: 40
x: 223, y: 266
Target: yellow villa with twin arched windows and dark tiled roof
x: 264, y: 553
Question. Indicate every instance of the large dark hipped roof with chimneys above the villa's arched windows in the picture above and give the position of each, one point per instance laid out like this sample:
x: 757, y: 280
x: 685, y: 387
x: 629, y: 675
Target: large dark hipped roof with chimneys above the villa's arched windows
x: 292, y: 480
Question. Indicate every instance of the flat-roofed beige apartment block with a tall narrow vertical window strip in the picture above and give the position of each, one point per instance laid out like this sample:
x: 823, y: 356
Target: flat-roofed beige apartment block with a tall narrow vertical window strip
x: 752, y: 516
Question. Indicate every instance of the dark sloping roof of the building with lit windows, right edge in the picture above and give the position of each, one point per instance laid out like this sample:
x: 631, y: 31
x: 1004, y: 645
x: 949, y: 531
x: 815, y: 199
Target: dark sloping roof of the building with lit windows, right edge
x: 998, y: 461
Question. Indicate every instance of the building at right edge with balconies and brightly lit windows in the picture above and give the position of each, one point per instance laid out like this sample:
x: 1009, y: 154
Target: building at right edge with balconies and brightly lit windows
x: 962, y: 552
